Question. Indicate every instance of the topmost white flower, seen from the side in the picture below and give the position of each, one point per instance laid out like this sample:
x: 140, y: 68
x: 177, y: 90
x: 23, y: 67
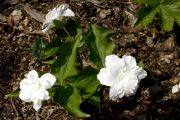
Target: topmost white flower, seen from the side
x: 56, y: 14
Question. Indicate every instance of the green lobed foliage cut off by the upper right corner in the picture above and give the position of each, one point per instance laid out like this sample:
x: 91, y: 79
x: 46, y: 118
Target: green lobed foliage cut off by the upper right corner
x: 168, y: 12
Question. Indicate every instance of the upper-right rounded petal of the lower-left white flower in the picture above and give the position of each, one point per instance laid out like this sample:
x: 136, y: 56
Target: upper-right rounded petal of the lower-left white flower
x: 47, y: 80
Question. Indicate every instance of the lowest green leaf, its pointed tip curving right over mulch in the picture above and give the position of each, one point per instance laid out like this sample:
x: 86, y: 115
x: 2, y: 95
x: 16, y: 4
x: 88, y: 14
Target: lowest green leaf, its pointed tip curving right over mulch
x: 69, y: 98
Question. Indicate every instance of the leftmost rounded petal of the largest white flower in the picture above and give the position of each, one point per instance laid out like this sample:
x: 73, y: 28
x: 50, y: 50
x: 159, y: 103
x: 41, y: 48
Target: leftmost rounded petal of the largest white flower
x: 105, y: 77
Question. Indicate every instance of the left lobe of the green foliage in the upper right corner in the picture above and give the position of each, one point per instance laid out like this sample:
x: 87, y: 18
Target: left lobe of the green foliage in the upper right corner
x: 146, y: 16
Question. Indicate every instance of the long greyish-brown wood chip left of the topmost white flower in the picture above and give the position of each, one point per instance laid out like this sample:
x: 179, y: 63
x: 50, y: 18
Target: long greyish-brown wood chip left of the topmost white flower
x: 33, y: 13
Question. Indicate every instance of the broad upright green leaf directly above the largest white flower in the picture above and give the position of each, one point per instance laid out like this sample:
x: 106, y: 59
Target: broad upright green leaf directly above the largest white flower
x: 98, y: 43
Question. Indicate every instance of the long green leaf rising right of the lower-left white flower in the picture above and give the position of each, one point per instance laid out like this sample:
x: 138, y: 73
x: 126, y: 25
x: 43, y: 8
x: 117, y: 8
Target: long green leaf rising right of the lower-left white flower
x: 64, y: 66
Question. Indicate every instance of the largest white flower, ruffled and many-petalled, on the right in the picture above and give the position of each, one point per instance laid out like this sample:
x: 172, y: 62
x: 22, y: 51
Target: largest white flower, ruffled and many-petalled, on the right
x: 122, y: 75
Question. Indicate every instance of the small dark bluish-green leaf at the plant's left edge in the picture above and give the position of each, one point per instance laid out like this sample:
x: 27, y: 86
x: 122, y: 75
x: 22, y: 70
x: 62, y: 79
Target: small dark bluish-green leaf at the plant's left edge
x: 38, y: 48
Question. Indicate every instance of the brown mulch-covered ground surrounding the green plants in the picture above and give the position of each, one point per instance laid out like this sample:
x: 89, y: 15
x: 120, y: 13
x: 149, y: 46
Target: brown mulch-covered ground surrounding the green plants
x: 159, y: 51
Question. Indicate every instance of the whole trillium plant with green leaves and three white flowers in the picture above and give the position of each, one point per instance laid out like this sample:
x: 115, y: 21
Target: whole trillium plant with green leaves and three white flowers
x: 71, y: 81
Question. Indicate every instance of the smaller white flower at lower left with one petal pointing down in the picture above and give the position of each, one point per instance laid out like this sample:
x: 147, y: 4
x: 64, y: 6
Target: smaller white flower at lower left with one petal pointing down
x: 34, y: 89
